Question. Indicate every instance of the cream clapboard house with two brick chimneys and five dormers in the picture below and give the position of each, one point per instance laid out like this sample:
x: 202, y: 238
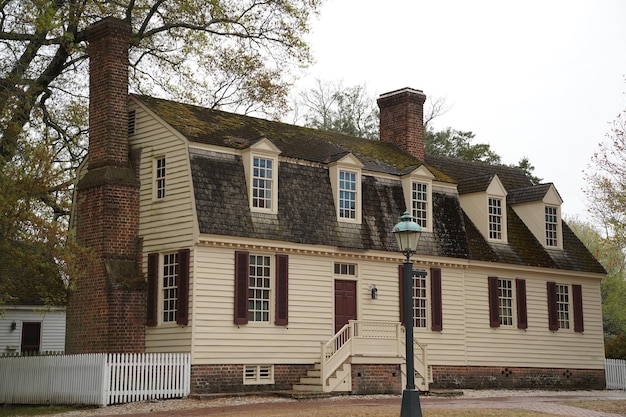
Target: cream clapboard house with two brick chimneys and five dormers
x: 265, y: 250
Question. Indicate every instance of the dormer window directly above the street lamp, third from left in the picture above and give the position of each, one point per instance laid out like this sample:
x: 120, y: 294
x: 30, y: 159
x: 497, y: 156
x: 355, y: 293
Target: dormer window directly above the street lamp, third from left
x: 417, y: 188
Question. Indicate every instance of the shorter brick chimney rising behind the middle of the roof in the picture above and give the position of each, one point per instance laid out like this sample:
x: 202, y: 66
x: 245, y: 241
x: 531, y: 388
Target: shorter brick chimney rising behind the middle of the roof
x: 402, y: 120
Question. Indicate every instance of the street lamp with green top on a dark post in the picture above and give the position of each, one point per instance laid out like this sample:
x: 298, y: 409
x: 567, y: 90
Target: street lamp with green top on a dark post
x: 407, y: 234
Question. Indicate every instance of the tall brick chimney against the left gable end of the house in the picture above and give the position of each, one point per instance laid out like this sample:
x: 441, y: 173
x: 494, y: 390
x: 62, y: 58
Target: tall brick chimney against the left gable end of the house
x: 106, y: 311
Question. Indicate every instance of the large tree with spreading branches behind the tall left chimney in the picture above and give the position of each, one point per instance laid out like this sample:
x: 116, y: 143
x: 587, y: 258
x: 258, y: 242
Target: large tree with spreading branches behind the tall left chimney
x: 235, y: 54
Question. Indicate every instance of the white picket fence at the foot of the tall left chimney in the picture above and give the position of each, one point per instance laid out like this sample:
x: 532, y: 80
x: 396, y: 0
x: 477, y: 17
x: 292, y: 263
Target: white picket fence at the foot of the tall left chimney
x: 94, y: 379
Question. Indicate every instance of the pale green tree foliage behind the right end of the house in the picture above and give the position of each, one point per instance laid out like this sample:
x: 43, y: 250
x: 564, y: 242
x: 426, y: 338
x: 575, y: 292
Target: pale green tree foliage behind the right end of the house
x: 613, y: 288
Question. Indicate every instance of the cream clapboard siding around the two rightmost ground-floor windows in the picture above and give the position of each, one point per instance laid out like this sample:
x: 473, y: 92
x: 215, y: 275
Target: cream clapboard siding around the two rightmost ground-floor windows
x: 536, y: 346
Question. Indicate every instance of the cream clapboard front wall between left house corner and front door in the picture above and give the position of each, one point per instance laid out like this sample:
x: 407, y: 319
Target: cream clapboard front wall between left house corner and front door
x: 217, y: 340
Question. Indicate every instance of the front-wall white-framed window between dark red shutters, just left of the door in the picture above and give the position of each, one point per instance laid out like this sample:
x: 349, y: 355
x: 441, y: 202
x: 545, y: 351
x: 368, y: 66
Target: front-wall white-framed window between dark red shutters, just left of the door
x: 259, y: 286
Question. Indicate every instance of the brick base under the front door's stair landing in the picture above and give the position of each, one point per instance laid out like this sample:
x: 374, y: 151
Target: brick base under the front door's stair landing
x: 376, y: 379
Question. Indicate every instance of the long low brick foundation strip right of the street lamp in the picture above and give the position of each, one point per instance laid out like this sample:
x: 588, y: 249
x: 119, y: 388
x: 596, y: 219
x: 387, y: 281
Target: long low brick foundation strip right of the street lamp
x: 475, y: 377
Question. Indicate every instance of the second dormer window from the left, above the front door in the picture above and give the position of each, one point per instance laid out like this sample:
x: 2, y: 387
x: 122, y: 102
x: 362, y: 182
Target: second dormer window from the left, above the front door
x: 345, y: 178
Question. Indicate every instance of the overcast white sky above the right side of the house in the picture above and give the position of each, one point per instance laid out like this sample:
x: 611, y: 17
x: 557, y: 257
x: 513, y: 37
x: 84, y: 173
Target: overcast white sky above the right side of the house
x: 541, y: 79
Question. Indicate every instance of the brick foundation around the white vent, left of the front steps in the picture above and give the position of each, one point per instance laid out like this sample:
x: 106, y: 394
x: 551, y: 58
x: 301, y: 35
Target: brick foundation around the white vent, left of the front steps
x: 207, y: 379
